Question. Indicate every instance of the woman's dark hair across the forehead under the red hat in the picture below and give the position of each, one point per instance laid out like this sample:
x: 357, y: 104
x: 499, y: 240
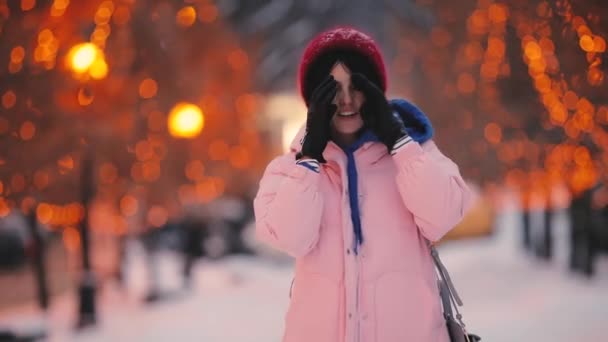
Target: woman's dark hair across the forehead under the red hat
x: 322, y: 65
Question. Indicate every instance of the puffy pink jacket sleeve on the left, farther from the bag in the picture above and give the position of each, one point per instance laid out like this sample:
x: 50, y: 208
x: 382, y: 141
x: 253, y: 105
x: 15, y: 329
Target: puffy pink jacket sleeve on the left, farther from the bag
x: 288, y: 207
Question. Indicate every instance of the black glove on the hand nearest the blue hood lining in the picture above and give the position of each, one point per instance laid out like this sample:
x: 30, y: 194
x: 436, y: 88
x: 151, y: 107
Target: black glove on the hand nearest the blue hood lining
x: 377, y: 113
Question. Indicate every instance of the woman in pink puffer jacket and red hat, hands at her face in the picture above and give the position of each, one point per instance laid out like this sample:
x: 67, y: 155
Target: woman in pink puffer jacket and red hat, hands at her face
x: 356, y: 201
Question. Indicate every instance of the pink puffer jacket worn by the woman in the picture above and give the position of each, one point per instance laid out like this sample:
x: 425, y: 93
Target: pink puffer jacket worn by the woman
x: 387, y: 292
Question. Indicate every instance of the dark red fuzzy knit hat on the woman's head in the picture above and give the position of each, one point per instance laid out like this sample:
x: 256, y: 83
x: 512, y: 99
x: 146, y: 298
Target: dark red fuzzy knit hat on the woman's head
x: 344, y: 38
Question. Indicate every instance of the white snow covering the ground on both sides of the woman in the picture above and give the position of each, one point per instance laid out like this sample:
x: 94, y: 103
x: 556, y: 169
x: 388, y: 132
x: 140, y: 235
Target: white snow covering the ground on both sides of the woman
x: 508, y: 295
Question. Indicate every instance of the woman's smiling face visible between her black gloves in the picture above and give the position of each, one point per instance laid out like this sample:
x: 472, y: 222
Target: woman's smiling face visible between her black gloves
x: 348, y: 118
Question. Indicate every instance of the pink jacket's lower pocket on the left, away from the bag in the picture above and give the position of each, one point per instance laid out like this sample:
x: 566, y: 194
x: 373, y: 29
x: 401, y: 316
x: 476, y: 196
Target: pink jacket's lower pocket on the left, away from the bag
x: 313, y: 313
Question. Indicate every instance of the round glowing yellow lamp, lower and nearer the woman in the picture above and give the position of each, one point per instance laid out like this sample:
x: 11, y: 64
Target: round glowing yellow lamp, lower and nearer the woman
x: 185, y: 120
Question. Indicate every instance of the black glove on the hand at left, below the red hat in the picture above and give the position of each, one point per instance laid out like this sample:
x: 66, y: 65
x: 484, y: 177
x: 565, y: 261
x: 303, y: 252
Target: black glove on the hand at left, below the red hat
x: 320, y: 112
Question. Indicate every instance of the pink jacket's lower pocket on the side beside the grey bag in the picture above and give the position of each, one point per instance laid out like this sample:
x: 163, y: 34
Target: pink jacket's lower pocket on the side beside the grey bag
x: 406, y: 309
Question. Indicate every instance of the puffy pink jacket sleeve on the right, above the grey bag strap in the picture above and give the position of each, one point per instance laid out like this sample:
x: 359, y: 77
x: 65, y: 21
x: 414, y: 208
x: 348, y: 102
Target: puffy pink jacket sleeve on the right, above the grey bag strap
x: 432, y: 188
